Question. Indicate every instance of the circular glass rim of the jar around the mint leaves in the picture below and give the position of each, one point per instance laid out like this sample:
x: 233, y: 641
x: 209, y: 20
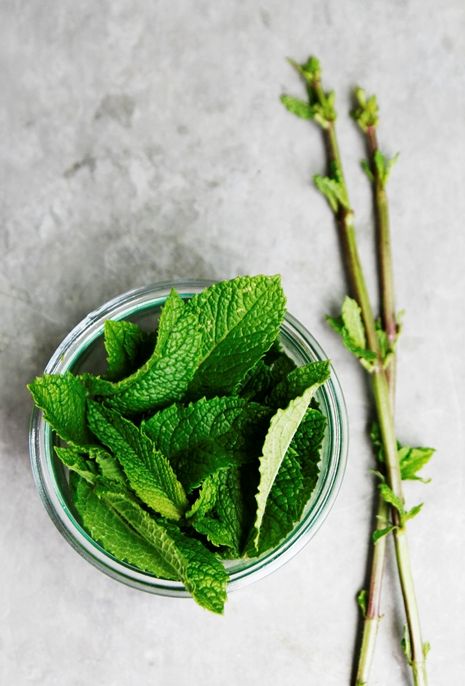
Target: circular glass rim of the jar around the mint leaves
x: 70, y: 349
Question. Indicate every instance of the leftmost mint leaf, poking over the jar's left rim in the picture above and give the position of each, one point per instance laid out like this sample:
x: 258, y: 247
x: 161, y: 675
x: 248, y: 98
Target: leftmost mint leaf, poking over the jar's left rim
x: 62, y: 399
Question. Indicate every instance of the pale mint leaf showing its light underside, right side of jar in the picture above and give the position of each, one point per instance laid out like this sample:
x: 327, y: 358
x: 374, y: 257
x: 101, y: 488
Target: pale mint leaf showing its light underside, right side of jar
x: 283, y: 427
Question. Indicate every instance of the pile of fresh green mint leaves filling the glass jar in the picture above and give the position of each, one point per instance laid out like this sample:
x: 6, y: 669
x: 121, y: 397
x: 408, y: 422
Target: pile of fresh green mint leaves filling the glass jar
x: 201, y: 442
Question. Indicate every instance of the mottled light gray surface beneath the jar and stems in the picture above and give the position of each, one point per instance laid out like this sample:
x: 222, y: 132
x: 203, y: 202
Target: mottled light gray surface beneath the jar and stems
x: 143, y: 141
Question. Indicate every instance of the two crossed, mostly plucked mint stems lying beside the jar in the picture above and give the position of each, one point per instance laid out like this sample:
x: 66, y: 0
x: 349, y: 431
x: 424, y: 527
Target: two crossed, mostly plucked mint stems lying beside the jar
x: 373, y: 342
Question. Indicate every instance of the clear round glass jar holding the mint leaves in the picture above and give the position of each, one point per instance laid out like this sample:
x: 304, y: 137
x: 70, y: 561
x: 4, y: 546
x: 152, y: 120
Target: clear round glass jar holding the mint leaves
x: 82, y: 350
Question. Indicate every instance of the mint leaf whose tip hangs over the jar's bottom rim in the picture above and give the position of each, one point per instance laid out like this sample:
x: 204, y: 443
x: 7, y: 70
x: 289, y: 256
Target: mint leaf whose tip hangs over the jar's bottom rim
x: 202, y: 574
